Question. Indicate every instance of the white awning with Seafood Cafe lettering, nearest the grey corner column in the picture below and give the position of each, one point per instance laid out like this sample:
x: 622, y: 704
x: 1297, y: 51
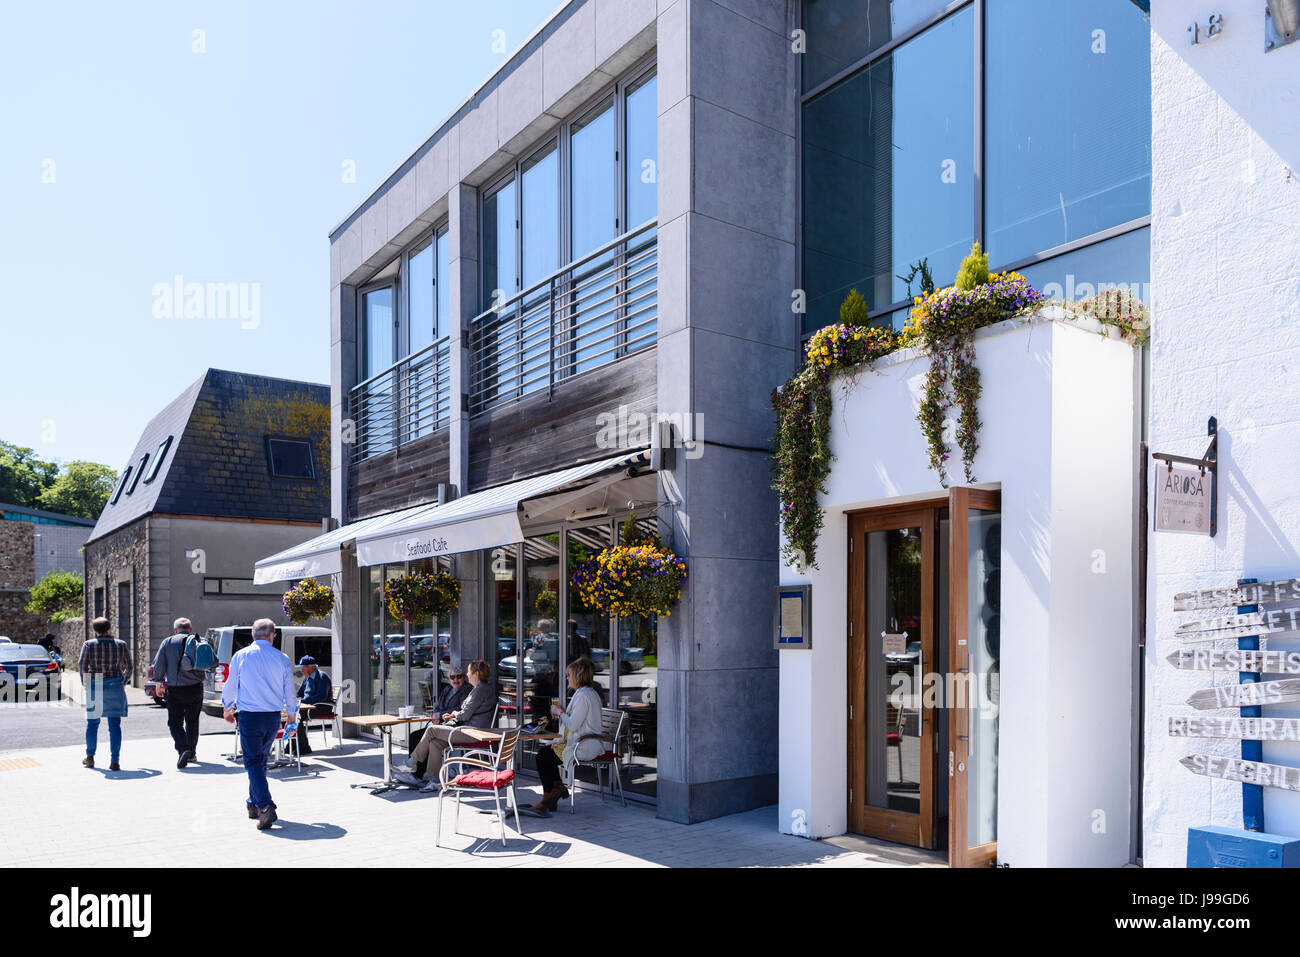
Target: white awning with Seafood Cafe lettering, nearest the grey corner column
x: 487, y: 519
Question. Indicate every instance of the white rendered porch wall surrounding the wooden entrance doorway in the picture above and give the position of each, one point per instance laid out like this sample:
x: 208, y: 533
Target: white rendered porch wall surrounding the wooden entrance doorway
x: 1059, y: 410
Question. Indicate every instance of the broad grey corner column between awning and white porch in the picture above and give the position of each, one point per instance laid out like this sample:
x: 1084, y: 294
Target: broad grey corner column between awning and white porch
x: 729, y: 99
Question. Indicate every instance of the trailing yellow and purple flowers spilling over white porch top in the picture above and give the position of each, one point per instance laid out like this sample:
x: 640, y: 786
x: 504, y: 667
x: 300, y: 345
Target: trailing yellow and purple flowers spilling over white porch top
x: 942, y: 328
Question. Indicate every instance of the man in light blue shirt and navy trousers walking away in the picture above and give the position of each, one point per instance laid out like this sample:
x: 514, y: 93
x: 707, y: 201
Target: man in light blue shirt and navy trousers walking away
x: 261, y: 685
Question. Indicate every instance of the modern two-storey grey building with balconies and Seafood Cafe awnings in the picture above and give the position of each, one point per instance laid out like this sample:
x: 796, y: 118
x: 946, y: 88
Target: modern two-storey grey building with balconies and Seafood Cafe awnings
x: 603, y: 239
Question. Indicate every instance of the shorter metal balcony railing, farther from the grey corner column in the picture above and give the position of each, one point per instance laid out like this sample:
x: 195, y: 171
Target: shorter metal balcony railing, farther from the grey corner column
x: 408, y: 401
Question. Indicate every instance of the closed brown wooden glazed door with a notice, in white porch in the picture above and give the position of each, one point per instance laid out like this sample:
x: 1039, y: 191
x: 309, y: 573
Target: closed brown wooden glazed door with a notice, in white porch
x: 892, y: 730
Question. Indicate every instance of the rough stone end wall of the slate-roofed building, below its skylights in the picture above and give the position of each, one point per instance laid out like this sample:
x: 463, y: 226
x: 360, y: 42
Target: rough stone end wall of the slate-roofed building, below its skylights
x: 116, y: 560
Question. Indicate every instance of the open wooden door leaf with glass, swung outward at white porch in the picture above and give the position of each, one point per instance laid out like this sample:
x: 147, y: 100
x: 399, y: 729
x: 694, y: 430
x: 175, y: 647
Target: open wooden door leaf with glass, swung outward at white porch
x: 974, y: 630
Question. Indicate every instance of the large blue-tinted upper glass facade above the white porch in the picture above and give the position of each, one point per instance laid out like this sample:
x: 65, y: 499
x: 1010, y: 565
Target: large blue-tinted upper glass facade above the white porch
x: 890, y: 161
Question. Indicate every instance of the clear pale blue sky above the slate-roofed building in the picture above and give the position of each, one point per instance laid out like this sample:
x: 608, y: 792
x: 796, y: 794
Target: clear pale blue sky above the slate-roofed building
x: 222, y: 167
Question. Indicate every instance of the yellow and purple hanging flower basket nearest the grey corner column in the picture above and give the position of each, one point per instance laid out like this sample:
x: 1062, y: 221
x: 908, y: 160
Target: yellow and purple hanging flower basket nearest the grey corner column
x: 640, y: 577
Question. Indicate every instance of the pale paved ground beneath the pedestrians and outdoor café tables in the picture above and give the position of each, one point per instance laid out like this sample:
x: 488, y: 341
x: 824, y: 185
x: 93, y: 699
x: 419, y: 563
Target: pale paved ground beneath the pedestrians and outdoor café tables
x: 151, y: 815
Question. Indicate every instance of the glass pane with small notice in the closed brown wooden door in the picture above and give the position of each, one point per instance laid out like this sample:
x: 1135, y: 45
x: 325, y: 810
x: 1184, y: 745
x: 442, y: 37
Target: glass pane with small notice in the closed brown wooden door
x: 894, y: 756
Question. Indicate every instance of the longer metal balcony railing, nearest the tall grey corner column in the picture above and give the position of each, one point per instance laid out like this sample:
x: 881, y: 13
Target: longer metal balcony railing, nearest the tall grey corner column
x: 596, y: 310
